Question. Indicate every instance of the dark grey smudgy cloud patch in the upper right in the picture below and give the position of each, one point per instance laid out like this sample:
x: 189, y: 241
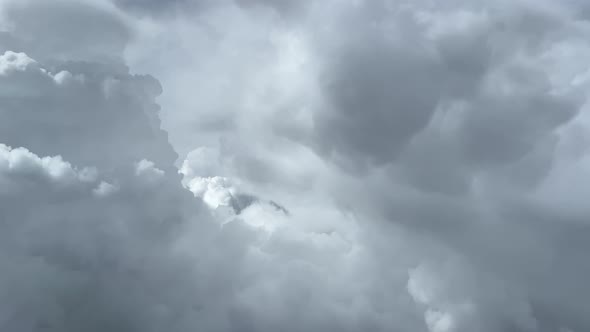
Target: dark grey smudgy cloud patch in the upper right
x: 398, y: 66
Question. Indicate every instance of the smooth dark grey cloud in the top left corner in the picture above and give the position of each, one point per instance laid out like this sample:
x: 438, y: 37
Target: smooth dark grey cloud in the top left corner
x: 103, y: 36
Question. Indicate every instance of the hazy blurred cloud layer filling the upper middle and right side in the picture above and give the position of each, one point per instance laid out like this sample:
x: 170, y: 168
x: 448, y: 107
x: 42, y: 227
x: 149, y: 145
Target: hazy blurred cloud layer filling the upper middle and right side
x: 461, y: 123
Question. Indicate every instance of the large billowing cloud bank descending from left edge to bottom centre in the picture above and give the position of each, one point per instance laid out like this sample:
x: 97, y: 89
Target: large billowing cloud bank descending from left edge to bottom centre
x: 98, y: 232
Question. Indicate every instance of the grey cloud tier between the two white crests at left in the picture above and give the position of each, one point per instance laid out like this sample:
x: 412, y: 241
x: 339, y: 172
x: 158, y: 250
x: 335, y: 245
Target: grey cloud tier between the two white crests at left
x: 99, y: 103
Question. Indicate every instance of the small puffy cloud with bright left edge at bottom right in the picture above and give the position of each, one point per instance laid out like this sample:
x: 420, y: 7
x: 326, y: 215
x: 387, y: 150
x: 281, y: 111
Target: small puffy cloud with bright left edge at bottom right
x: 456, y: 300
